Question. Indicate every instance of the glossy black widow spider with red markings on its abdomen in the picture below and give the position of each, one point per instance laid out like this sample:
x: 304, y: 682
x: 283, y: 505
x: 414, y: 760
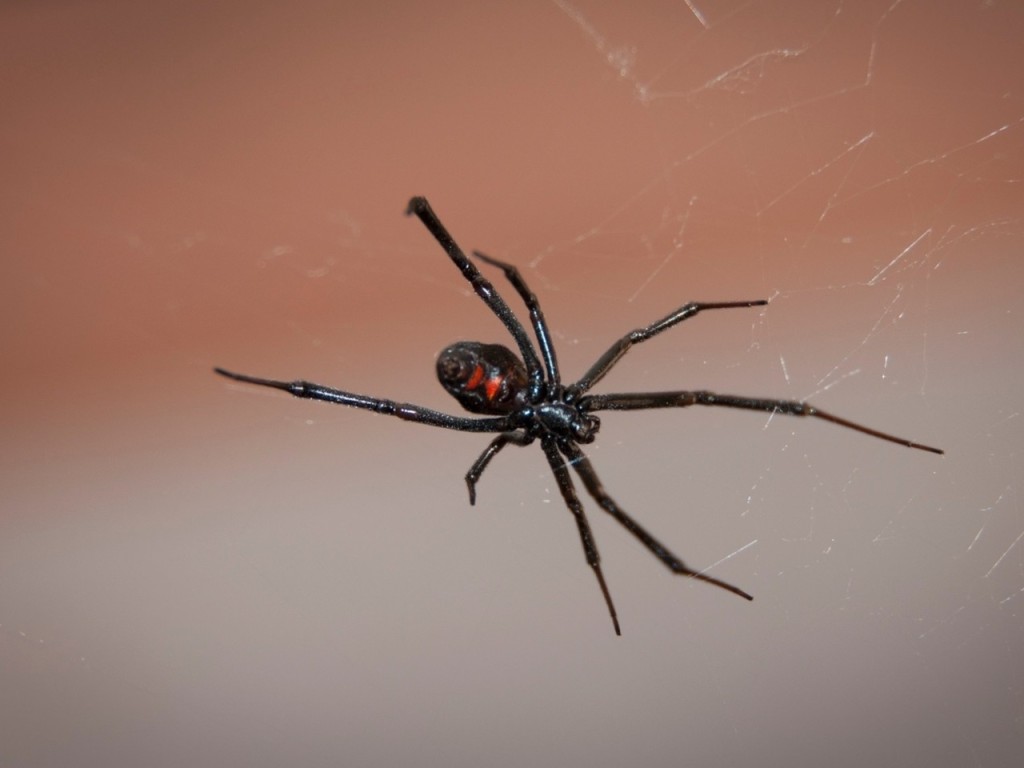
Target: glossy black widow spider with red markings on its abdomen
x: 529, y: 403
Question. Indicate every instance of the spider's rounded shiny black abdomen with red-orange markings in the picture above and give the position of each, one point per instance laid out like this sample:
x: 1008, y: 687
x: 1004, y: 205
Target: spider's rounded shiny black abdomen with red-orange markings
x: 485, y: 378
